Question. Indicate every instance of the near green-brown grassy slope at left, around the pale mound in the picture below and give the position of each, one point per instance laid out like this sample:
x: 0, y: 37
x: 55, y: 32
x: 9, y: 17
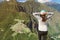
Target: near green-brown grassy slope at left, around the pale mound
x: 8, y: 13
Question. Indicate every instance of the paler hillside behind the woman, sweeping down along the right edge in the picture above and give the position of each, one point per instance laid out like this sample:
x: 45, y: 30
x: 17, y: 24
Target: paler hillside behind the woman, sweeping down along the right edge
x: 37, y: 7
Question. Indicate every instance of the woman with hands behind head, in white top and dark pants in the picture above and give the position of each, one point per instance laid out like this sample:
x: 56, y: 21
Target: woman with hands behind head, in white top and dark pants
x: 42, y: 18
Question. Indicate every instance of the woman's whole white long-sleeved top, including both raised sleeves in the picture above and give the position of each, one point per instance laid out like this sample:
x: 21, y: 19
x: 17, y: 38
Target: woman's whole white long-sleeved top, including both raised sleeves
x: 42, y: 26
